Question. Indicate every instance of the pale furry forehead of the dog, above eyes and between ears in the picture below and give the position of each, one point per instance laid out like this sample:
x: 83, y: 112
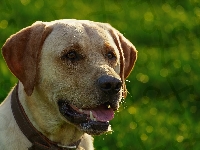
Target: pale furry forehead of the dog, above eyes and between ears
x: 82, y: 32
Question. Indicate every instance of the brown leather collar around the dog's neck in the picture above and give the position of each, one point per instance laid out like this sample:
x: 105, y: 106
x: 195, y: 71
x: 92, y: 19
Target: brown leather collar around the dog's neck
x: 39, y: 141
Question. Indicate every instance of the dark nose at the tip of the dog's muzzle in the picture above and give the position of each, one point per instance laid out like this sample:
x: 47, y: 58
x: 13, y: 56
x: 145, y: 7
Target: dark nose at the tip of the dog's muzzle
x: 109, y: 84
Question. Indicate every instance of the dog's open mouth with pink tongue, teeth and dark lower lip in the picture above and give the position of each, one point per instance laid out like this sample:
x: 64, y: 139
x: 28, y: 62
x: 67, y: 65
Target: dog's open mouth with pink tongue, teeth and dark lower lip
x: 94, y: 121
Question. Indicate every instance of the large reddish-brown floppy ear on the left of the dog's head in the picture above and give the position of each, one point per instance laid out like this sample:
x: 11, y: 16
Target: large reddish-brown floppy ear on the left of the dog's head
x: 22, y: 51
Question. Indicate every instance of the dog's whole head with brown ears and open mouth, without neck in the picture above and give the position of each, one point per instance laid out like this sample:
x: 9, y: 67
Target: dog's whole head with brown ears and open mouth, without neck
x: 78, y: 67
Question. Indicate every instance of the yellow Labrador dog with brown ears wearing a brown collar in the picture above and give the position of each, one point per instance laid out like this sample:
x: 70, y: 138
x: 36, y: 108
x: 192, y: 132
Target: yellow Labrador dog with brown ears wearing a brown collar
x: 71, y: 80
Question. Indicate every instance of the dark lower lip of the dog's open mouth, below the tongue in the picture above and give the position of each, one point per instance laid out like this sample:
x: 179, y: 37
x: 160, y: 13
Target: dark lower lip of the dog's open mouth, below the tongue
x: 81, y: 120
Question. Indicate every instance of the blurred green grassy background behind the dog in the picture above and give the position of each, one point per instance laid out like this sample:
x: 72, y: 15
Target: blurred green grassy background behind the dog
x: 162, y: 109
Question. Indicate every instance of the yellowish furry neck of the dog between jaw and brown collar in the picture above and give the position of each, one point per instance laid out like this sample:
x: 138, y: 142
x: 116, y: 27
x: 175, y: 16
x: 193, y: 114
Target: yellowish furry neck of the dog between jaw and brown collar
x: 42, y: 115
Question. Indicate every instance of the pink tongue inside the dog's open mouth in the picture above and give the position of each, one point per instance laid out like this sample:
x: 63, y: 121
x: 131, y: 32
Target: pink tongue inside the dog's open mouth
x: 103, y: 114
